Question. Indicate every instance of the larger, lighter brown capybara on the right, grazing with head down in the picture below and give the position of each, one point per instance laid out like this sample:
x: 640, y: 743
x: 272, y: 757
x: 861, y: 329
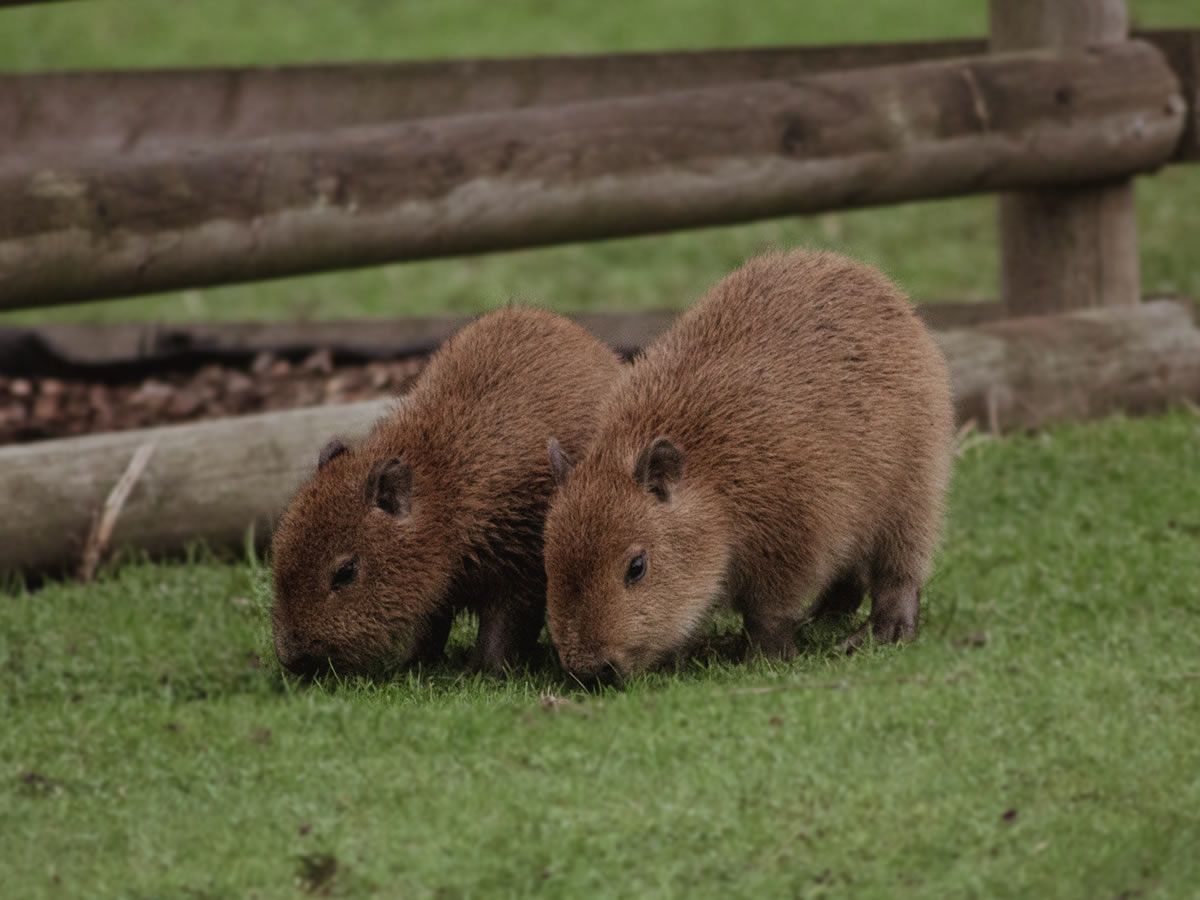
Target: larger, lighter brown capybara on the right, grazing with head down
x: 789, y: 439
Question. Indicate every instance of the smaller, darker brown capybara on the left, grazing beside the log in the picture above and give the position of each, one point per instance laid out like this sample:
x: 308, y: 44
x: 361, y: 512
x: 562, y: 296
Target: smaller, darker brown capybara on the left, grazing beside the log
x: 441, y: 508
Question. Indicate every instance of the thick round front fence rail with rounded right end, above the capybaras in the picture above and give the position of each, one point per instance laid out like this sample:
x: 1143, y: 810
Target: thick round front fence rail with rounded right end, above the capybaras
x: 543, y: 176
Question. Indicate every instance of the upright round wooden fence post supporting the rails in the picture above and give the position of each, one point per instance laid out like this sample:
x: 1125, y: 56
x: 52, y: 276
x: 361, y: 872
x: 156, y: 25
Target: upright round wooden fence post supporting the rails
x: 1073, y: 248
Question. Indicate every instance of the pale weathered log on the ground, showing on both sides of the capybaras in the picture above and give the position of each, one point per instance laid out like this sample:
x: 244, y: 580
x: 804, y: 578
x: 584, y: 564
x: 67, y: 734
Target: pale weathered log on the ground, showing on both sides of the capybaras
x: 214, y: 481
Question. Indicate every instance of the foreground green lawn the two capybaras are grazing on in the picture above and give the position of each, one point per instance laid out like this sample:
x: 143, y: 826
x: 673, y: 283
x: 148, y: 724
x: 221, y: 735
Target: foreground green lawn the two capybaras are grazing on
x: 1041, y: 740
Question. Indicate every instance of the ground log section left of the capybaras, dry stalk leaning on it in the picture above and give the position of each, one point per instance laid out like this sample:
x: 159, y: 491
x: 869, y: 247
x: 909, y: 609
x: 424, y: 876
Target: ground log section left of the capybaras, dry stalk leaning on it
x: 212, y: 482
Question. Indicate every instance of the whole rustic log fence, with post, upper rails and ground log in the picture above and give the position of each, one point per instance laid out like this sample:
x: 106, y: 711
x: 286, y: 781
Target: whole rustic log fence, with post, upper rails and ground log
x: 127, y: 183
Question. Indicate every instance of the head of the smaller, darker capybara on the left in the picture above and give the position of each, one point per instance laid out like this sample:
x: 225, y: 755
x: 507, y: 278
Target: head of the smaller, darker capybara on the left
x: 357, y: 565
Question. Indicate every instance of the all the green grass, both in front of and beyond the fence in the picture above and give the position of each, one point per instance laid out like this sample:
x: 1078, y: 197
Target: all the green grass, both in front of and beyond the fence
x: 1041, y: 740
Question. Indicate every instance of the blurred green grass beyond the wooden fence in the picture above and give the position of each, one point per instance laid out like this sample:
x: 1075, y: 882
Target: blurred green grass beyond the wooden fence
x: 944, y: 250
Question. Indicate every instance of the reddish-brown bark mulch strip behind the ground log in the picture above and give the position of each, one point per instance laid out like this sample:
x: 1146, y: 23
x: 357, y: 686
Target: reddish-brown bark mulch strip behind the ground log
x: 39, y: 409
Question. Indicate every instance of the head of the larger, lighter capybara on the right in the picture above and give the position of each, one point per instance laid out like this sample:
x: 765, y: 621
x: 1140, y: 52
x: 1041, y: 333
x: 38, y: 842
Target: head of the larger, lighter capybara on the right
x: 635, y: 554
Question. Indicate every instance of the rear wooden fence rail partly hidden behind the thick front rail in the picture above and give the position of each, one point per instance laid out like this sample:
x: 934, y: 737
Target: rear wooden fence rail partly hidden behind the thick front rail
x: 58, y: 113
